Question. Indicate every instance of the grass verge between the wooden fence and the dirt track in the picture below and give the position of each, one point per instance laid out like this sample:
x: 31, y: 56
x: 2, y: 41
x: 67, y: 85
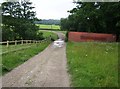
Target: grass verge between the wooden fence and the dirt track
x: 14, y: 59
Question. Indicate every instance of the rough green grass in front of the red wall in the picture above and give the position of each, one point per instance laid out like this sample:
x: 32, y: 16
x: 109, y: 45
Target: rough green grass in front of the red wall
x: 93, y: 64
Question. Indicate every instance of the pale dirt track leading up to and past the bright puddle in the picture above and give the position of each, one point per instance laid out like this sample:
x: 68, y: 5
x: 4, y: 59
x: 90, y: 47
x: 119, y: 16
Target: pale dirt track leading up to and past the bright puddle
x: 47, y: 69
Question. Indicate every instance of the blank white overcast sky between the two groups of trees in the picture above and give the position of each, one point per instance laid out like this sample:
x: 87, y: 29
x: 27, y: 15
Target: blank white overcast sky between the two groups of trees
x: 52, y: 9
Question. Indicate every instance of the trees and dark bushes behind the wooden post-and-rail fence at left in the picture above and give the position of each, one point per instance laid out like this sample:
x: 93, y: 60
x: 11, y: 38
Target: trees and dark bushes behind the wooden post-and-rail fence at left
x: 18, y: 21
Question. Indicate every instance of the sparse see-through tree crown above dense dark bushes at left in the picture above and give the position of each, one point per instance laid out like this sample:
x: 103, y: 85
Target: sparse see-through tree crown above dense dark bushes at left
x: 18, y: 10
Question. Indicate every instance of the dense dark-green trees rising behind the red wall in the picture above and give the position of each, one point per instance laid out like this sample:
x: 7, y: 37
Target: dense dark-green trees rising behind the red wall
x: 98, y: 17
